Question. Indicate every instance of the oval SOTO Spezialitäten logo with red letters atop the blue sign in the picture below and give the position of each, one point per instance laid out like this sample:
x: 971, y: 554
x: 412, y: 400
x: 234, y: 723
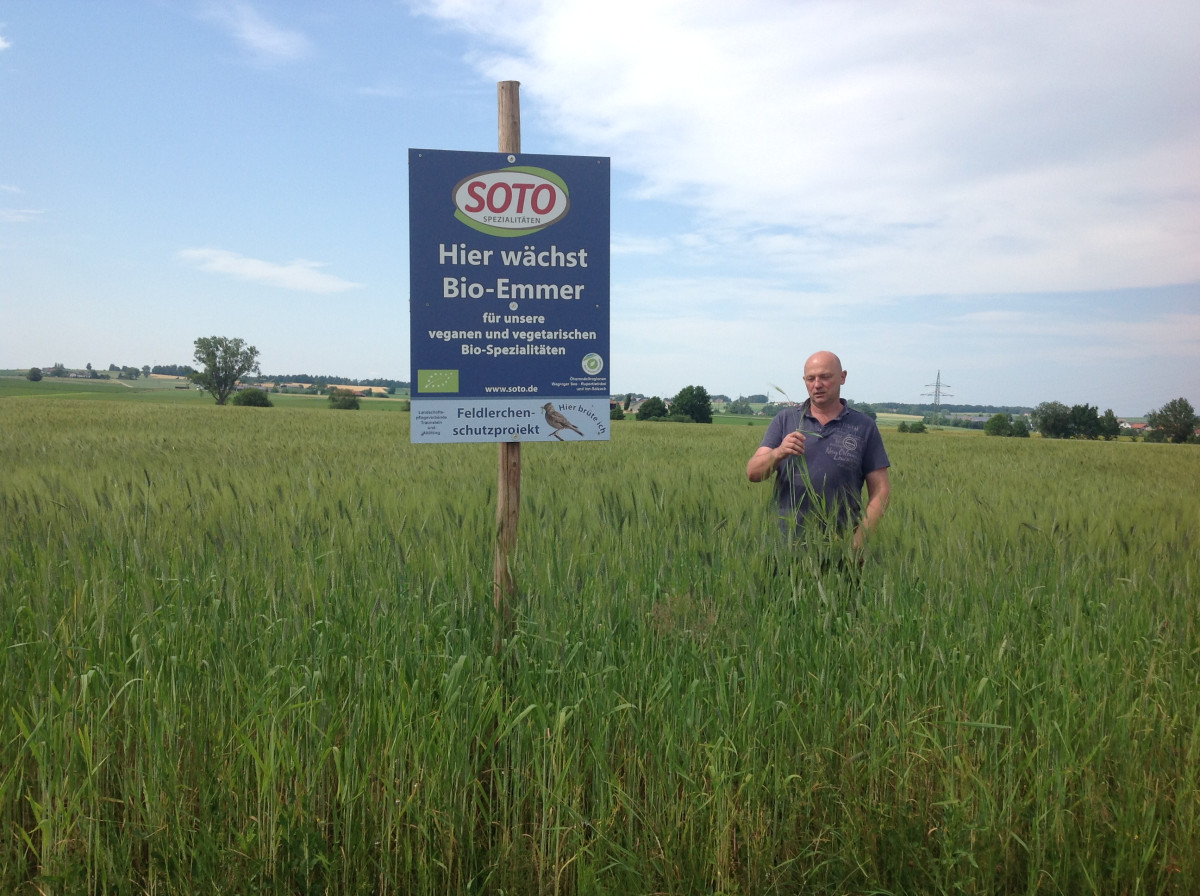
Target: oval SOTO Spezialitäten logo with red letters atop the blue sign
x: 512, y: 202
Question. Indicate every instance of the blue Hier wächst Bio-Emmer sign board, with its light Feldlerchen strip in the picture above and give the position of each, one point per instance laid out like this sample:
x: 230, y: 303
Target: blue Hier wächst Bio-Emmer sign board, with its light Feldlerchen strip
x: 509, y: 304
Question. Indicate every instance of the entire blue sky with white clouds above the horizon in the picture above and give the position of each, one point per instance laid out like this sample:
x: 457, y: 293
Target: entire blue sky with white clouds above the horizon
x: 1006, y: 194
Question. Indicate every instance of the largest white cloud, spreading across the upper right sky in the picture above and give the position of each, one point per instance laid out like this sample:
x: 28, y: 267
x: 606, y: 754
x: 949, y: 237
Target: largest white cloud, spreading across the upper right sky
x: 913, y: 148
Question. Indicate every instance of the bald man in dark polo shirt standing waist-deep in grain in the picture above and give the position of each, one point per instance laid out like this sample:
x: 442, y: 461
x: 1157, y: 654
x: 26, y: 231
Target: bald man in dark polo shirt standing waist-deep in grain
x: 842, y: 452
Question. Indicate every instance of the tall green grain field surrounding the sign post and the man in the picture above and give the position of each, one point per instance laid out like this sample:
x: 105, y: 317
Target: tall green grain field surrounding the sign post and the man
x: 251, y: 652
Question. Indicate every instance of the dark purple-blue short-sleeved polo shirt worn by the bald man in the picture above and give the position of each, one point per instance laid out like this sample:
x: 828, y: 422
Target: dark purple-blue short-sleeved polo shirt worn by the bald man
x: 838, y: 455
